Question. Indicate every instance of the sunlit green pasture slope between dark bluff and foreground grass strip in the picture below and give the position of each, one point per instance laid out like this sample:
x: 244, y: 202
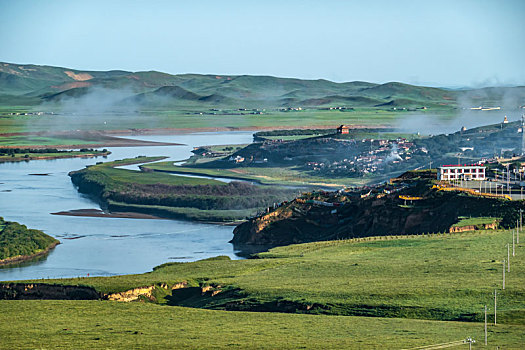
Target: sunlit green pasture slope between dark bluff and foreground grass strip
x: 440, y: 277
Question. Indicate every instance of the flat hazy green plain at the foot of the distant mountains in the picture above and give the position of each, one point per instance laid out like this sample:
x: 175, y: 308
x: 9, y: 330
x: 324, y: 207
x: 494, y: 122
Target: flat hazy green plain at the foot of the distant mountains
x: 183, y: 120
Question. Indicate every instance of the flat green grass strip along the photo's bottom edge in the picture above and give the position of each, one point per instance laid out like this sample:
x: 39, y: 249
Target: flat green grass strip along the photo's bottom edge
x: 45, y: 324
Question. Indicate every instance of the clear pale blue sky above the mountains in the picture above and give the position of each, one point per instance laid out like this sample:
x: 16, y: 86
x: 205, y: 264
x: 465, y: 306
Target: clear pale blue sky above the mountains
x: 461, y: 43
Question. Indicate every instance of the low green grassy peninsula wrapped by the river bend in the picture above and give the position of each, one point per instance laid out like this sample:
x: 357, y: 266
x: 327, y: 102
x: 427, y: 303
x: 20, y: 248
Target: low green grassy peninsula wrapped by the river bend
x: 169, y: 196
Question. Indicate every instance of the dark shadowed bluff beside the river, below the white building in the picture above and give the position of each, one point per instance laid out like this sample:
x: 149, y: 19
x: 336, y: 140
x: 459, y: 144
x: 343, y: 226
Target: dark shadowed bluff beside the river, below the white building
x: 303, y: 221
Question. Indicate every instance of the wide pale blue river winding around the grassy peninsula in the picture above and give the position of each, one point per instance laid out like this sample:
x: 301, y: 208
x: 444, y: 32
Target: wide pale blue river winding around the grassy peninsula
x: 105, y: 246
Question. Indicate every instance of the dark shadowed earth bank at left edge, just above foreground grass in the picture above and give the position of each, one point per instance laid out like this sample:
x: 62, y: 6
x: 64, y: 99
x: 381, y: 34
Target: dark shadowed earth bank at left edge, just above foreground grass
x: 22, y: 291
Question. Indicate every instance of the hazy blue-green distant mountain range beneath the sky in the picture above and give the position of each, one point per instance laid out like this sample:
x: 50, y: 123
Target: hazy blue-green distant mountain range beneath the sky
x: 30, y: 85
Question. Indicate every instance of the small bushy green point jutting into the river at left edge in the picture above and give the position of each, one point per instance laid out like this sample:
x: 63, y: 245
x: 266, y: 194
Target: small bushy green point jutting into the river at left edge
x: 17, y: 241
